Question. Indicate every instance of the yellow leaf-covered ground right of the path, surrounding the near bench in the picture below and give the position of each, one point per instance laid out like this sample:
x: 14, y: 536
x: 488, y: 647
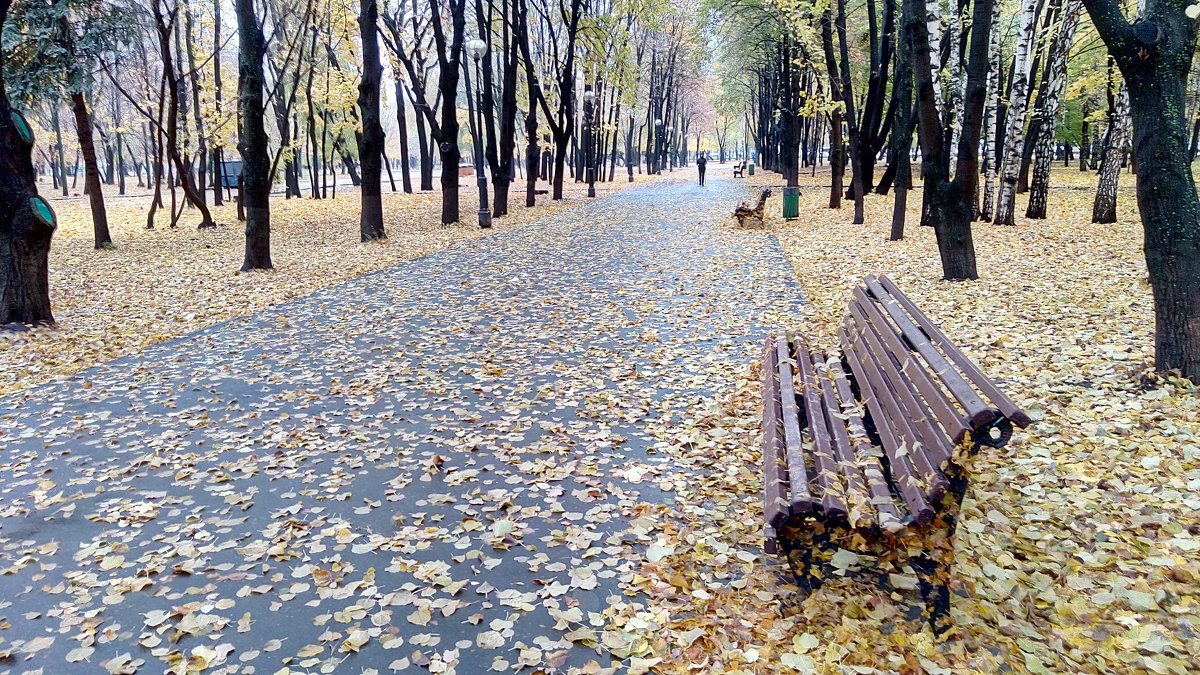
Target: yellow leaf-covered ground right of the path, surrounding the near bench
x: 1078, y: 549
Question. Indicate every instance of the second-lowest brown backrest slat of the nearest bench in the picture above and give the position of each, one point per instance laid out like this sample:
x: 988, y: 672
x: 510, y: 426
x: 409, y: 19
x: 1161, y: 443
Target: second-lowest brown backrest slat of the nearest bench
x: 910, y: 419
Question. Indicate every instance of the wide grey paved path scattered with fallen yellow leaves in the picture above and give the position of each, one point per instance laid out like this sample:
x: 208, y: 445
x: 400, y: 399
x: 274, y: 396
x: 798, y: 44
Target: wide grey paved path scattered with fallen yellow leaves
x: 464, y: 463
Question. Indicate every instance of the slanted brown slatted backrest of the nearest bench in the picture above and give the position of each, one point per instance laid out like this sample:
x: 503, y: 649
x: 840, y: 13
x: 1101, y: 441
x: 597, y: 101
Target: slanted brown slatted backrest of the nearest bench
x: 923, y: 396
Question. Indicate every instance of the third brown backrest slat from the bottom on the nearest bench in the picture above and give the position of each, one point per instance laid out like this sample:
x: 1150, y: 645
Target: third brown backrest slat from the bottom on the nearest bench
x: 920, y: 405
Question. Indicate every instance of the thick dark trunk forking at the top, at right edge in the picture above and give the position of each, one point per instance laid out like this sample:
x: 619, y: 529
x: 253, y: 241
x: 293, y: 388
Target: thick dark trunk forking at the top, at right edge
x: 1167, y: 193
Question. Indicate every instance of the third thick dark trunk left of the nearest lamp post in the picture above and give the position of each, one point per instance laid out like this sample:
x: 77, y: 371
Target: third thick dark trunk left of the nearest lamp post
x: 256, y: 168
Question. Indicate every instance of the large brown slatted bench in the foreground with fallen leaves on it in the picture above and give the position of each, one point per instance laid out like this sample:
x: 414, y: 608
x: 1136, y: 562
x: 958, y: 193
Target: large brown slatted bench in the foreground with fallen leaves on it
x: 869, y: 452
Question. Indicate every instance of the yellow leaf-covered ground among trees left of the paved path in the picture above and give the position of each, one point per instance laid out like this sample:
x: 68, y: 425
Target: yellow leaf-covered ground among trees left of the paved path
x: 161, y: 284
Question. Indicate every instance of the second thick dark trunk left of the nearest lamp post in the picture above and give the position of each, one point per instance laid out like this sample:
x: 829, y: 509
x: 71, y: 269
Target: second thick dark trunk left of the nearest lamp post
x: 371, y: 140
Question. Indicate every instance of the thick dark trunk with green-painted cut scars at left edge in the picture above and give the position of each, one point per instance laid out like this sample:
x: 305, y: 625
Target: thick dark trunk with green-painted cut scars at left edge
x: 25, y: 238
